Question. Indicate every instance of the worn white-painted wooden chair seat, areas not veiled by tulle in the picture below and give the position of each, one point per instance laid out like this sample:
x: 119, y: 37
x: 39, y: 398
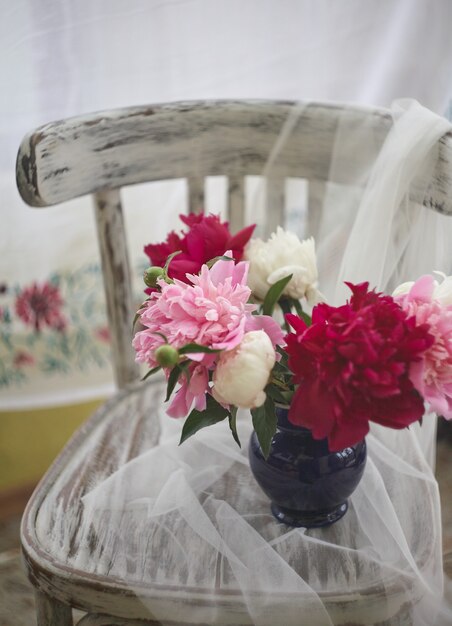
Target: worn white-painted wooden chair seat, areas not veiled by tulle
x: 102, y: 566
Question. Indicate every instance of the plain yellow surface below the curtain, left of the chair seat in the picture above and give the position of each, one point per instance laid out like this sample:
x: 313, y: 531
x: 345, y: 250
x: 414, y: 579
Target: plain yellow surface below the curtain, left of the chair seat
x: 30, y: 440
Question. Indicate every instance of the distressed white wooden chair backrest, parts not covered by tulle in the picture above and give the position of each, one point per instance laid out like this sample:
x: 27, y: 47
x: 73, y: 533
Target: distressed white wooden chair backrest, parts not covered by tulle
x: 100, y: 153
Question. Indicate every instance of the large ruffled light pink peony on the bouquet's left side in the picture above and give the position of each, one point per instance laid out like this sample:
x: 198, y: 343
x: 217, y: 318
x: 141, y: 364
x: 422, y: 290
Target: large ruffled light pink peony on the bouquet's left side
x: 211, y: 310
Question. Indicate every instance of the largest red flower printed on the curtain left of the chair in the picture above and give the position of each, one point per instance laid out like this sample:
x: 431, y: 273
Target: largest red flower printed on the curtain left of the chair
x: 40, y: 306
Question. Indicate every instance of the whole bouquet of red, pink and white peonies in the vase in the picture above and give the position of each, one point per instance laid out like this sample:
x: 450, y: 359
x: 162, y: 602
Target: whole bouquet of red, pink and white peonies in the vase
x: 208, y: 323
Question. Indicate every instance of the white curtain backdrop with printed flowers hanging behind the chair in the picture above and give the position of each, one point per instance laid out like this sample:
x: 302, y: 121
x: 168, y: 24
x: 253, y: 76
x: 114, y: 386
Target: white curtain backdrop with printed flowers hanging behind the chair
x: 60, y: 58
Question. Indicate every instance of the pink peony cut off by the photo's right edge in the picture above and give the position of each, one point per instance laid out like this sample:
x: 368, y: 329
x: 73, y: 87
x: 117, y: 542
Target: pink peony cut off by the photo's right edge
x: 432, y: 375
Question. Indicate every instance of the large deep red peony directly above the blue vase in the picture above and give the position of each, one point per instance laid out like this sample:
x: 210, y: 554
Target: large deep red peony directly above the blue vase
x: 351, y: 367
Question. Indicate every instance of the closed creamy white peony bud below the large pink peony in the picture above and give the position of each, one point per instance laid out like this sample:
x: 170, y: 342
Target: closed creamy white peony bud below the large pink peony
x: 242, y: 373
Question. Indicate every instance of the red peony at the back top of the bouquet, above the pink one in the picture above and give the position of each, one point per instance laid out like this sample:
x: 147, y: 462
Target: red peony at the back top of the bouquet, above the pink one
x: 206, y: 239
